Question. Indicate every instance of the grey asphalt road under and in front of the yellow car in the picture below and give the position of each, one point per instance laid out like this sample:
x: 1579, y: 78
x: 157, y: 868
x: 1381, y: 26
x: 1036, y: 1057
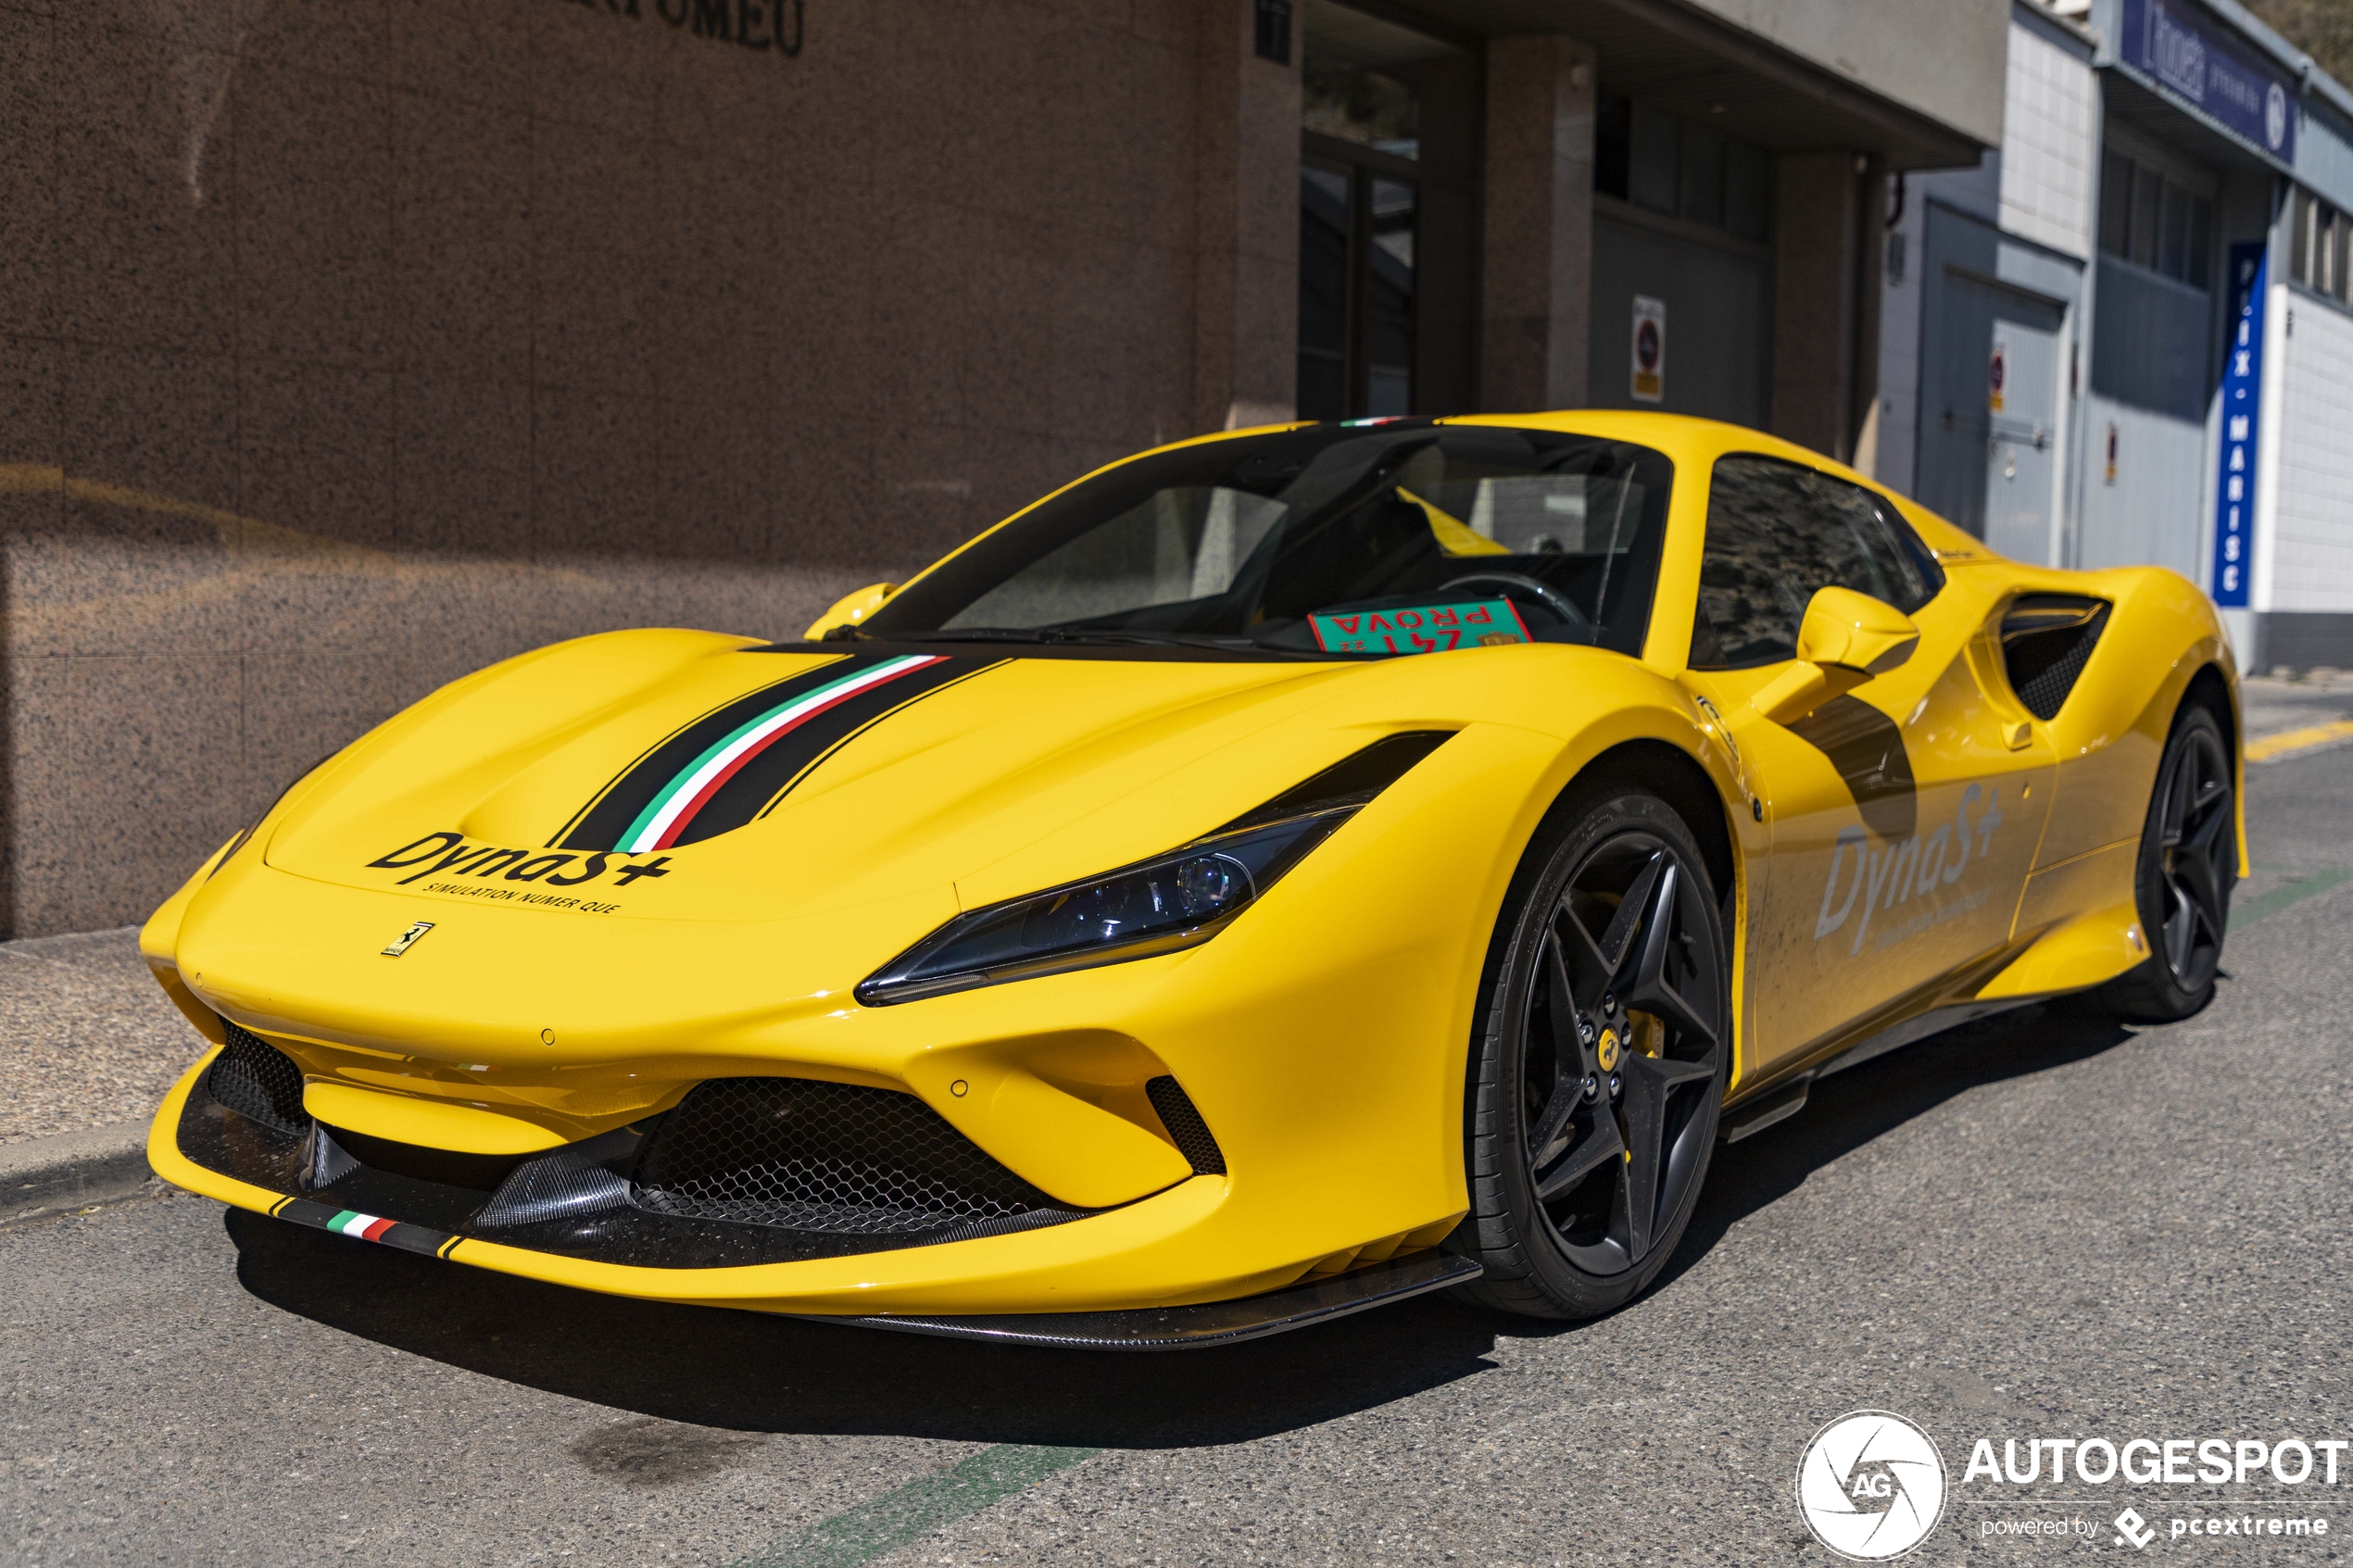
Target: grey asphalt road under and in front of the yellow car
x: 2041, y: 1226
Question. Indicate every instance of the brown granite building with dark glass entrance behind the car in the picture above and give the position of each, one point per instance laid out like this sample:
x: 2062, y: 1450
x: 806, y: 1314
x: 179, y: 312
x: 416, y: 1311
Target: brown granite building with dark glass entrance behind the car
x: 352, y: 347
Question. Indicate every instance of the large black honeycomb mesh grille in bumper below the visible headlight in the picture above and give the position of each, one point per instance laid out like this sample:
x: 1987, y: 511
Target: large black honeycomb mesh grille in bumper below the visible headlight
x: 827, y: 1158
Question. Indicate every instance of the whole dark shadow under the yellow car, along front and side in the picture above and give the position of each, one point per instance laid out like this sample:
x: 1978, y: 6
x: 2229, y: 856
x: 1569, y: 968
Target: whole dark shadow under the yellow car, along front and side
x: 764, y: 1374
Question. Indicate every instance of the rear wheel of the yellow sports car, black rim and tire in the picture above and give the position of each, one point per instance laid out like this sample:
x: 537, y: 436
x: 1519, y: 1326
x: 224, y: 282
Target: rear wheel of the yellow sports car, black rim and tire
x: 2182, y: 885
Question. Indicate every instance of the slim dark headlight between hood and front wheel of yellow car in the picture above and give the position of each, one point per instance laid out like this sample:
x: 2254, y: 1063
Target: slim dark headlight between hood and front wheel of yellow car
x: 1135, y: 913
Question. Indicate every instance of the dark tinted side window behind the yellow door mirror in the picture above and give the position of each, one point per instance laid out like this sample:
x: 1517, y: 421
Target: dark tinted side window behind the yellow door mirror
x: 1778, y: 532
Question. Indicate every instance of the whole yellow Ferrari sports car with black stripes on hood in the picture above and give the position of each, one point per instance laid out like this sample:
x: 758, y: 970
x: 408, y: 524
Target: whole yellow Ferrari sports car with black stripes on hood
x: 1267, y: 878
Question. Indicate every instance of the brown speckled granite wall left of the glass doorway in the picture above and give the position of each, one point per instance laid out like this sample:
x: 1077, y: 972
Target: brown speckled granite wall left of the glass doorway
x: 352, y: 344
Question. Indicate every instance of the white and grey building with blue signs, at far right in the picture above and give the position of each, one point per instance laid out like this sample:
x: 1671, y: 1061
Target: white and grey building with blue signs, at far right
x: 2124, y: 337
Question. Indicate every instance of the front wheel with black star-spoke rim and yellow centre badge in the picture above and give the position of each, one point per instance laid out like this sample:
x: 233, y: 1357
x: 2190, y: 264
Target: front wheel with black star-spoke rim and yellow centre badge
x: 1578, y: 1198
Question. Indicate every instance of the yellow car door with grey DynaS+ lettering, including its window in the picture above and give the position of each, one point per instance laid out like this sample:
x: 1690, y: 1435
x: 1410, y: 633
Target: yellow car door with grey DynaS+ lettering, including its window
x: 1905, y: 815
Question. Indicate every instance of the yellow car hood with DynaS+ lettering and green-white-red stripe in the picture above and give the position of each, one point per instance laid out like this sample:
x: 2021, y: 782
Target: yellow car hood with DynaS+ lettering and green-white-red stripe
x: 686, y: 777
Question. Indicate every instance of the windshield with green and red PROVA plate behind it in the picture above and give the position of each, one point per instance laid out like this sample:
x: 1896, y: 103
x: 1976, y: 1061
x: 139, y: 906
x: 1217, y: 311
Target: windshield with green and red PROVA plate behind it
x: 1328, y: 540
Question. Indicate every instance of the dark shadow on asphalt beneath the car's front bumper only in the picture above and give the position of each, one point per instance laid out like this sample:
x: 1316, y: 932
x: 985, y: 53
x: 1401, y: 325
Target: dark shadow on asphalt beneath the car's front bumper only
x: 766, y: 1374
